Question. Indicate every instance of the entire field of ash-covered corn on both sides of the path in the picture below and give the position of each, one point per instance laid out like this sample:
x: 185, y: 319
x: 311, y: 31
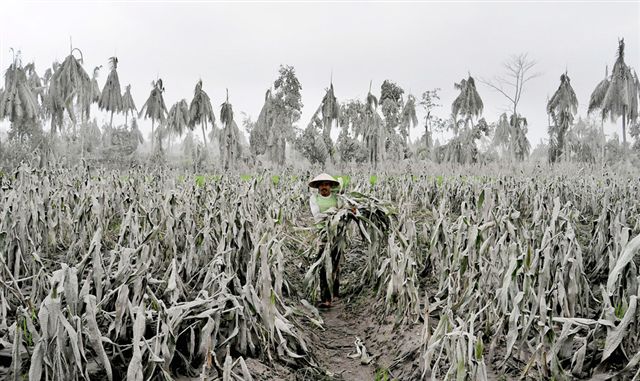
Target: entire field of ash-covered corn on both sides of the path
x: 158, y: 275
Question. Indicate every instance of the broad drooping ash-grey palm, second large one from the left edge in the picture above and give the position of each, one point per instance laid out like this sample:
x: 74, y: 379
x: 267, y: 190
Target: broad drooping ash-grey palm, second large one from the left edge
x: 69, y: 84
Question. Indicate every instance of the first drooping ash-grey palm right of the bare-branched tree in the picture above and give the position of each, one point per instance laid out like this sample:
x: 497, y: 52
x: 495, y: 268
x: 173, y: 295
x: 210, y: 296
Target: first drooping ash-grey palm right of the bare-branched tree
x: 562, y: 106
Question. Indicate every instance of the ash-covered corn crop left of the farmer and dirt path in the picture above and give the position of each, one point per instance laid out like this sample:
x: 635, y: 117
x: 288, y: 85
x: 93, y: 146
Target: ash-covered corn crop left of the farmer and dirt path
x: 144, y: 276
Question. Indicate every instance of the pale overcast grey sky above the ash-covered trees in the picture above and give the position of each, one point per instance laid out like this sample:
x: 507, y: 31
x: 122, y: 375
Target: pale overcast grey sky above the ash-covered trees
x: 240, y: 46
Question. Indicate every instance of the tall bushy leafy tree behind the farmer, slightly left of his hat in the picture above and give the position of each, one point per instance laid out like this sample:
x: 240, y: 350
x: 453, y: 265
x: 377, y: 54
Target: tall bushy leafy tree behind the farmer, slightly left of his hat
x: 287, y: 107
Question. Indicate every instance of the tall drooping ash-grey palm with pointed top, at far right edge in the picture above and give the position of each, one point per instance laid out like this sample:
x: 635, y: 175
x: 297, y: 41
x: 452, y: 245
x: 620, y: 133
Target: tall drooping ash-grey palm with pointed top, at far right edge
x: 617, y: 97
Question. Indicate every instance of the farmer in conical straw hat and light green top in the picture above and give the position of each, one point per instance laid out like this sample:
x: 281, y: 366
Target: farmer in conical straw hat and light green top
x: 323, y: 201
